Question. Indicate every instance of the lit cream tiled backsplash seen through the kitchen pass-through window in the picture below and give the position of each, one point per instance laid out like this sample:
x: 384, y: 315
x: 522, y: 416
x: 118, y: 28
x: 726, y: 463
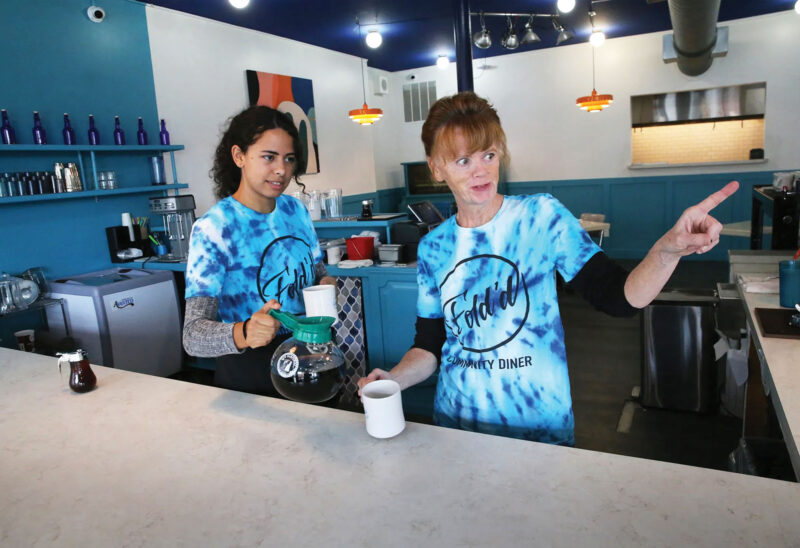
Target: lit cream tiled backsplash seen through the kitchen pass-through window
x: 698, y: 142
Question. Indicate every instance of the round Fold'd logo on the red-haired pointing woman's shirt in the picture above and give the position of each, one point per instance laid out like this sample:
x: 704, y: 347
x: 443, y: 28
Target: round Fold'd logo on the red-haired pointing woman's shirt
x: 485, y: 302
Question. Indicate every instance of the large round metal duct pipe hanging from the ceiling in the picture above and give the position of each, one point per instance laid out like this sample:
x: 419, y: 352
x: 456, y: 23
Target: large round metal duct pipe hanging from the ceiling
x: 694, y: 24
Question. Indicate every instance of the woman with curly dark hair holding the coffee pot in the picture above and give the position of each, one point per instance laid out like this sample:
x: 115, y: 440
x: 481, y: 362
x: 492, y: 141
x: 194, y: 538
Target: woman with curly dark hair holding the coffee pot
x: 255, y: 250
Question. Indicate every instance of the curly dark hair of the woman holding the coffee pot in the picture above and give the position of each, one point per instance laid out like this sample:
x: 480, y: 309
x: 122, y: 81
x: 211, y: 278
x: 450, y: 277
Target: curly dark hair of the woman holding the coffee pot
x: 243, y: 130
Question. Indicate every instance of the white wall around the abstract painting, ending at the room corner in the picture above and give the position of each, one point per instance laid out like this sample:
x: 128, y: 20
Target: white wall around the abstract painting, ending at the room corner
x: 199, y: 70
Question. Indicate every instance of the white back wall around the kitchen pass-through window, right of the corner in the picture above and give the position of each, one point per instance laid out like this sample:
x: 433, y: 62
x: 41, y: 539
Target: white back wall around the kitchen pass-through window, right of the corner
x: 550, y: 138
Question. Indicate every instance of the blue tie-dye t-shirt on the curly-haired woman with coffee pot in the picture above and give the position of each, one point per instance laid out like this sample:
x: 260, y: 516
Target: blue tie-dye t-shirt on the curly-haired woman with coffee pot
x: 245, y: 258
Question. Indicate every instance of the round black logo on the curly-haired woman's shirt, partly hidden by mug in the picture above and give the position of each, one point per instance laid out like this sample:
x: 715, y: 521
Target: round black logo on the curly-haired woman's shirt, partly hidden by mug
x: 286, y: 284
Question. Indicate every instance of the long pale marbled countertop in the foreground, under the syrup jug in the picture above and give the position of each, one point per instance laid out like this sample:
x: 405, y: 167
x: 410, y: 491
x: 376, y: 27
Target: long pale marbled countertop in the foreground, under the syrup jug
x: 148, y: 461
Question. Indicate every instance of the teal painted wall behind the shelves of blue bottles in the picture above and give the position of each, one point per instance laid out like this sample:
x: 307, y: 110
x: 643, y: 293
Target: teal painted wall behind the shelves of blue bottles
x: 56, y: 60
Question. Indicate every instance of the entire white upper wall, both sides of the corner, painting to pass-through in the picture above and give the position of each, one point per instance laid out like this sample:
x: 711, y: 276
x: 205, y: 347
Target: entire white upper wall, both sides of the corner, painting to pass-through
x: 199, y: 68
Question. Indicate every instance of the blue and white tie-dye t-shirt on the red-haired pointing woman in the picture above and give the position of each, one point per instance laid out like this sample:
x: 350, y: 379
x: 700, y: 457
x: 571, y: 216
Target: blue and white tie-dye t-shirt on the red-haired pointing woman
x: 504, y: 367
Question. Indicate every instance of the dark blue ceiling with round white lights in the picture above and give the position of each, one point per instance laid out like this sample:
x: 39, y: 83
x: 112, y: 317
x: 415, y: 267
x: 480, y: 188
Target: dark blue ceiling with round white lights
x: 416, y: 32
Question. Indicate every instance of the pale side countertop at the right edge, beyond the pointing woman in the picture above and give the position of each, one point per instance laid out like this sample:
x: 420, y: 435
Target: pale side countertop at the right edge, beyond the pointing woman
x: 780, y: 362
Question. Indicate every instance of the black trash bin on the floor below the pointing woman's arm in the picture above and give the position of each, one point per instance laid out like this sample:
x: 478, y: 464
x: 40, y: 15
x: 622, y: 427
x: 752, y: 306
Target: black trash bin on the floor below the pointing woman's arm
x: 678, y: 367
